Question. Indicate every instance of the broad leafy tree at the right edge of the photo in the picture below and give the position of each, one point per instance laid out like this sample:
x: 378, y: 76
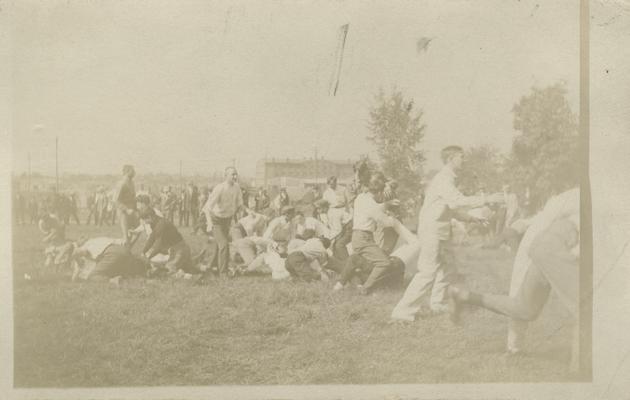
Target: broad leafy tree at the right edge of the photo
x: 544, y: 156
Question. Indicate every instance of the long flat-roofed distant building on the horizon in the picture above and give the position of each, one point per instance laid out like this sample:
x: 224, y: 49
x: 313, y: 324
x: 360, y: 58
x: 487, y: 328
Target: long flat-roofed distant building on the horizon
x: 306, y: 170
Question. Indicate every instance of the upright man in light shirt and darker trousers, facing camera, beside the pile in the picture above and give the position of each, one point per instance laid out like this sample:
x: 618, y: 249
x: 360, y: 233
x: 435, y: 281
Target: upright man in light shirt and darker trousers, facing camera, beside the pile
x: 223, y: 203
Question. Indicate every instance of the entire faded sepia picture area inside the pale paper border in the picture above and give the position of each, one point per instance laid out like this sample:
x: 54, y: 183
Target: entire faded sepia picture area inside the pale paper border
x: 289, y: 193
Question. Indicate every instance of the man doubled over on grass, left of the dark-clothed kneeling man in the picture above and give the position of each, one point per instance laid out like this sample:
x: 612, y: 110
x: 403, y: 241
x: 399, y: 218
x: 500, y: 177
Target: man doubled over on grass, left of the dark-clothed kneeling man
x: 105, y: 258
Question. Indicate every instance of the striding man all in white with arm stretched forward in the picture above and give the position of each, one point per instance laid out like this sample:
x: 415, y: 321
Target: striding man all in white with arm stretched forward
x: 434, y: 230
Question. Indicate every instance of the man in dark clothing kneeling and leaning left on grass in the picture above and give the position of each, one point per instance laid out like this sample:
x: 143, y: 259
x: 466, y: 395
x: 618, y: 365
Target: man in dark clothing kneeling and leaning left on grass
x: 166, y: 239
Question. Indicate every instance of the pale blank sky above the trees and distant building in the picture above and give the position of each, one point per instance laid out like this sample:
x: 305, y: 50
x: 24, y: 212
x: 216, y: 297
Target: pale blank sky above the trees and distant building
x: 153, y: 82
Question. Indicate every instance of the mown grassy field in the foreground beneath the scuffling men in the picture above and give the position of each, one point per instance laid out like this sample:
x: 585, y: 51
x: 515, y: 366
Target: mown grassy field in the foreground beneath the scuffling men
x: 251, y: 330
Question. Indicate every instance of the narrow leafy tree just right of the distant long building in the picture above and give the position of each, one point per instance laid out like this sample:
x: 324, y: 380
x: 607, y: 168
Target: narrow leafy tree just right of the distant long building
x: 396, y: 130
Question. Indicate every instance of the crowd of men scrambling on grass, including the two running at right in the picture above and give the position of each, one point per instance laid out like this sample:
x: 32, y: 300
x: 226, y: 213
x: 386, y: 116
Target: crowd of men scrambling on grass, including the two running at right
x: 352, y: 236
